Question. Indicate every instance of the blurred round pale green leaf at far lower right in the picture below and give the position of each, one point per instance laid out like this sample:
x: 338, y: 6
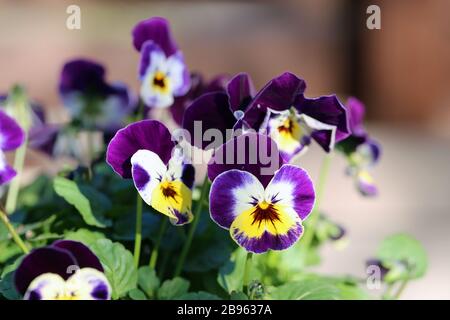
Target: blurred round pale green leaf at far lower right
x: 404, y: 256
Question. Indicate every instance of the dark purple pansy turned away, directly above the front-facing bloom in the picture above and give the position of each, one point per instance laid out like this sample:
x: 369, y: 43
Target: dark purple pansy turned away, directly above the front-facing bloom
x: 218, y: 111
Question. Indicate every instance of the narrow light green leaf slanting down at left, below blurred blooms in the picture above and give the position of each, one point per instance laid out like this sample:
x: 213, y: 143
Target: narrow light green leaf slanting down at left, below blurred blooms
x: 69, y: 190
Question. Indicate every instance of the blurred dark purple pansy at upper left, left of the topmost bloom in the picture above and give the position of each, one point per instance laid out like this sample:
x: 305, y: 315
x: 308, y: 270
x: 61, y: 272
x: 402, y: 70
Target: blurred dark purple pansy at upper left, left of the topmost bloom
x: 92, y: 101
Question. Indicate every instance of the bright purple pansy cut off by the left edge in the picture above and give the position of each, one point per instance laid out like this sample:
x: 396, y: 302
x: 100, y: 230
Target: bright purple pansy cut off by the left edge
x: 11, y: 138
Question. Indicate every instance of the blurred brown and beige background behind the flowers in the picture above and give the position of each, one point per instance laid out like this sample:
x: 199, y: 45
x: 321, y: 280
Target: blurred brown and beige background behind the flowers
x: 401, y: 72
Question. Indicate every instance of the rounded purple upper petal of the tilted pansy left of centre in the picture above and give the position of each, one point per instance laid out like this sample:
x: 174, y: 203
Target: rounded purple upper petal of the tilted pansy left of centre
x: 143, y: 135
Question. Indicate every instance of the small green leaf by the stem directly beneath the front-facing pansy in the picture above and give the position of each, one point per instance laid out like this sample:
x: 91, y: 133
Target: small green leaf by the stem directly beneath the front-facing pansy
x: 230, y: 275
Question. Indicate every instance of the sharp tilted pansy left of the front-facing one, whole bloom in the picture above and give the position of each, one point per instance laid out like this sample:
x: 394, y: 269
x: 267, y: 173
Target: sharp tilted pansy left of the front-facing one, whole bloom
x: 143, y: 151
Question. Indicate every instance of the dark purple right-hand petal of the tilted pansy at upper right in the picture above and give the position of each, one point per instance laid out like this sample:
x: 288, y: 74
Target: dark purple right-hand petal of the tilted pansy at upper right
x: 328, y: 110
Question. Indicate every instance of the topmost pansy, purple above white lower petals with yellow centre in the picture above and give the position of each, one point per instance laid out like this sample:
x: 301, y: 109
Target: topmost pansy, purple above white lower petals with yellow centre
x: 162, y: 71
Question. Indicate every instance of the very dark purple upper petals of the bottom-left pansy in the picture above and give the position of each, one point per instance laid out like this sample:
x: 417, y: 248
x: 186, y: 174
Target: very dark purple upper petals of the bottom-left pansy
x: 43, y: 260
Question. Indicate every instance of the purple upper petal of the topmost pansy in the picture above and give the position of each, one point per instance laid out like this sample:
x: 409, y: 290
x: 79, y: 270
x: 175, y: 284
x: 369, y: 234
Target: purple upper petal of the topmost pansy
x: 157, y: 30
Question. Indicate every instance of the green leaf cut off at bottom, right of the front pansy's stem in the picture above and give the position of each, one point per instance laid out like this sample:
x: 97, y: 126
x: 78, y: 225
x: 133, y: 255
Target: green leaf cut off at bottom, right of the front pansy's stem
x: 307, y: 289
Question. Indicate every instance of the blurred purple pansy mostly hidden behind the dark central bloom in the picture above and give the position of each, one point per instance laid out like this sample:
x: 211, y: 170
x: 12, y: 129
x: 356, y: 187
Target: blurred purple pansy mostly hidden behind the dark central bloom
x: 198, y: 88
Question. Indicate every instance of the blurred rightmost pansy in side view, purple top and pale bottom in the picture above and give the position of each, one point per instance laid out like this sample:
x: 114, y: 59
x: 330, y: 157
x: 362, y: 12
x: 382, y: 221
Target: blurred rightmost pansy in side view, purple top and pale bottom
x: 361, y: 151
